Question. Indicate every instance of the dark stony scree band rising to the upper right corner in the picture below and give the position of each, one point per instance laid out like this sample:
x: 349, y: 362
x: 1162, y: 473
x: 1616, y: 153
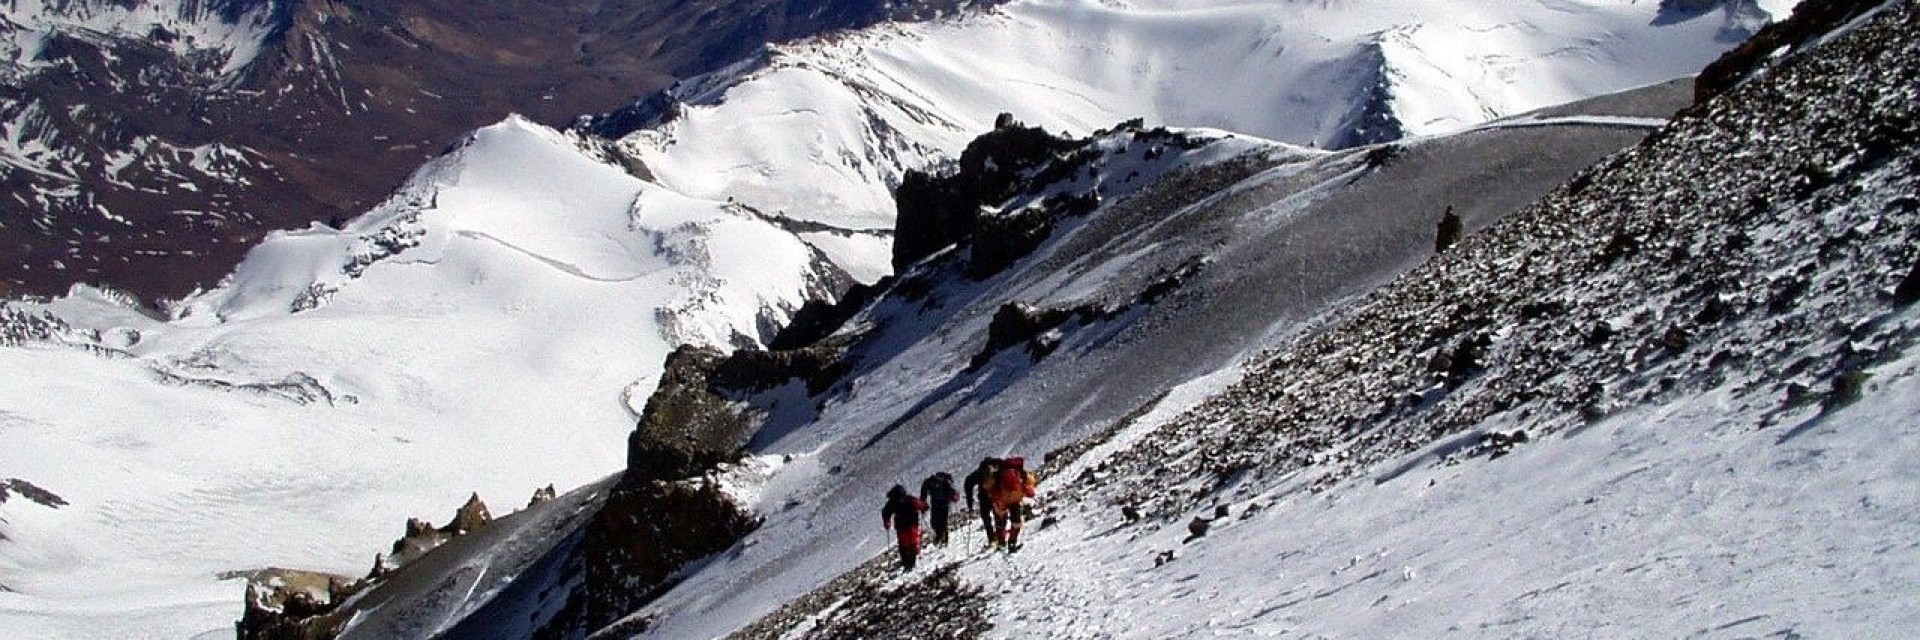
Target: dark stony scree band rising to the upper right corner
x: 1652, y: 276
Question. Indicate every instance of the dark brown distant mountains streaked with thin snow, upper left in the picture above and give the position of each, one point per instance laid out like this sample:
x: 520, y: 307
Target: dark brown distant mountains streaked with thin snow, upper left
x: 147, y: 145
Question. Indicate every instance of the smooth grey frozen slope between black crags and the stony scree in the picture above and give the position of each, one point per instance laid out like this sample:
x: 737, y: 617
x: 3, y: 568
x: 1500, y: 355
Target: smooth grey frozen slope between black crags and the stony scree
x: 1245, y: 245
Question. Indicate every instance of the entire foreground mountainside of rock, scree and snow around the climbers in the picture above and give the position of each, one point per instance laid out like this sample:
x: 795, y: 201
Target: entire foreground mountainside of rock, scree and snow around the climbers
x: 1673, y: 395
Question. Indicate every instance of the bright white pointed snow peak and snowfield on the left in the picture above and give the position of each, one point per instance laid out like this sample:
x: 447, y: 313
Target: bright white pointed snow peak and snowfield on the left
x: 481, y: 332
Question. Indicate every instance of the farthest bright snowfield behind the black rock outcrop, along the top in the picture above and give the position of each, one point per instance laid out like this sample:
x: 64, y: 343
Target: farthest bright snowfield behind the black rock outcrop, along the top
x: 825, y: 130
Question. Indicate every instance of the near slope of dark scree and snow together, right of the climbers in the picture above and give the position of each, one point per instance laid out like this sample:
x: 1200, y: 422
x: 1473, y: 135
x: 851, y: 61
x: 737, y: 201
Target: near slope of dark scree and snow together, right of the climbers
x: 1710, y: 343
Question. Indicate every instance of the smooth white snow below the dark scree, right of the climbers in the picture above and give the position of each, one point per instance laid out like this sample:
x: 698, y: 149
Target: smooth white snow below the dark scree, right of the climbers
x: 1683, y: 520
